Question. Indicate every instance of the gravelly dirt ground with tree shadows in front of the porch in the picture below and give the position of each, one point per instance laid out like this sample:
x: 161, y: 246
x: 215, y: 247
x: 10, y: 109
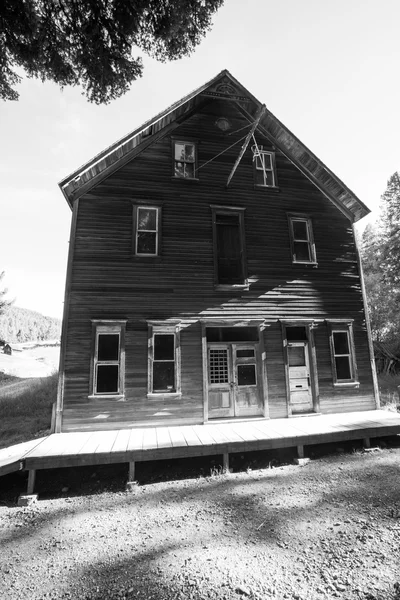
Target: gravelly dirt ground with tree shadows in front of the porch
x: 330, y: 529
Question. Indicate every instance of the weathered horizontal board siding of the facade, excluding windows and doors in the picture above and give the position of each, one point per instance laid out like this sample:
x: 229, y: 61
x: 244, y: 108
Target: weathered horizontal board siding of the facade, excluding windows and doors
x: 108, y: 282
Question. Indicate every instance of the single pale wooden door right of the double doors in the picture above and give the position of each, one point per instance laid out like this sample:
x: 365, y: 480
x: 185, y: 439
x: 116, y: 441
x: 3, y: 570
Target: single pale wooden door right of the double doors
x: 300, y: 393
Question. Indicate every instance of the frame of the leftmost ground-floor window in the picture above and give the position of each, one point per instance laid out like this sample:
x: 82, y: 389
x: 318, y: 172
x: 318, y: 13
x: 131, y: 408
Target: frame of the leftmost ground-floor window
x: 108, y: 327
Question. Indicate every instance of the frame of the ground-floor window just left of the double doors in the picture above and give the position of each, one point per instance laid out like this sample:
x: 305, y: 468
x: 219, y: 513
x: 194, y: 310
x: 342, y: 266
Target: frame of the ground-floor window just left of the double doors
x: 164, y: 329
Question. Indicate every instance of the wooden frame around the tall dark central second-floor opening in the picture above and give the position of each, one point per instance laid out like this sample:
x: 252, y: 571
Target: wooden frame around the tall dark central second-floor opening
x: 239, y: 212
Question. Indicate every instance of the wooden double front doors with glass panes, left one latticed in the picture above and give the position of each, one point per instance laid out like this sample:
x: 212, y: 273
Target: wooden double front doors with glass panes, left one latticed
x: 233, y: 381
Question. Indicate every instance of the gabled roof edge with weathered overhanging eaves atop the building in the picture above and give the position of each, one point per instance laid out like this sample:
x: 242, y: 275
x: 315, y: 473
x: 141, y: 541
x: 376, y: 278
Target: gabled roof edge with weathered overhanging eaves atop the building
x: 223, y: 86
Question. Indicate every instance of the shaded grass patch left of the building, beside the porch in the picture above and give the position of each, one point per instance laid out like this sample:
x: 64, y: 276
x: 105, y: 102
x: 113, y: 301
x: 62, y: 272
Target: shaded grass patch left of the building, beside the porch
x: 27, y: 415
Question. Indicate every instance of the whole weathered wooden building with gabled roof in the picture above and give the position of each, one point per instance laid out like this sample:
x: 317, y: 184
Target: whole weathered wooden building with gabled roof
x: 213, y: 274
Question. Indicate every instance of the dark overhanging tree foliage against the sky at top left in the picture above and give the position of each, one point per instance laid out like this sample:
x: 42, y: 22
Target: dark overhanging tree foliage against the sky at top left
x: 90, y: 42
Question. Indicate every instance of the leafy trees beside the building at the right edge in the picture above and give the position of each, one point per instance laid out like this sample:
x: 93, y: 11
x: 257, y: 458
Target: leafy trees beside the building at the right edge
x: 381, y: 262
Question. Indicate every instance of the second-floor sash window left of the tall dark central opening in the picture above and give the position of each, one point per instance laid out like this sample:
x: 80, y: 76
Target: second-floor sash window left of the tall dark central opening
x: 146, y: 230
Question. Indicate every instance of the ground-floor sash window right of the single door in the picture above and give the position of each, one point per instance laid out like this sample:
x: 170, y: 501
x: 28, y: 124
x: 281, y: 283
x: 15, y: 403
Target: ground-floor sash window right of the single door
x: 342, y: 352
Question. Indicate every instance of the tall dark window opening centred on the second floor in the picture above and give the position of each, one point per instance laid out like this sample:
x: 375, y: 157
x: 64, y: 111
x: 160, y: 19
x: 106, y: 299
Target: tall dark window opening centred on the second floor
x: 229, y: 247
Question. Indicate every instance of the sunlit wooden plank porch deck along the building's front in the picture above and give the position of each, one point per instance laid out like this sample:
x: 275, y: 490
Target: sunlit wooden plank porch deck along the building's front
x: 131, y: 445
